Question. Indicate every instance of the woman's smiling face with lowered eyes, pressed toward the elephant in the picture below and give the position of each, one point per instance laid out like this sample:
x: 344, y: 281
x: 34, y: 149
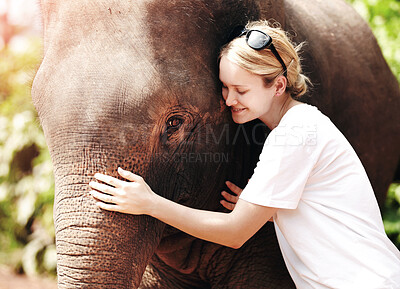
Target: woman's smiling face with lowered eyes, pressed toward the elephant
x: 245, y: 93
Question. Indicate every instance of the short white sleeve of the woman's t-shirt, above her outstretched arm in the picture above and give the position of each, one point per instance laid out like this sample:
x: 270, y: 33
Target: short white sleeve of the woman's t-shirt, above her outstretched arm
x: 282, y: 171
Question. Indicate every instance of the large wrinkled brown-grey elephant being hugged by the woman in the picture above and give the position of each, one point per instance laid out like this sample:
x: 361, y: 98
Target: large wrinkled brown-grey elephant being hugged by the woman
x: 134, y: 83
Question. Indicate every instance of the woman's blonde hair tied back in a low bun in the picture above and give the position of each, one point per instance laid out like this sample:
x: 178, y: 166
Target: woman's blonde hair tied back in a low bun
x: 264, y: 63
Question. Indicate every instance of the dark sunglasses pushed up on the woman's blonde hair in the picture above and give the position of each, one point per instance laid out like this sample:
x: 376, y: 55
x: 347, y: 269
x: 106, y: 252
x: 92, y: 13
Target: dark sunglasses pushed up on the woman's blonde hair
x: 257, y: 40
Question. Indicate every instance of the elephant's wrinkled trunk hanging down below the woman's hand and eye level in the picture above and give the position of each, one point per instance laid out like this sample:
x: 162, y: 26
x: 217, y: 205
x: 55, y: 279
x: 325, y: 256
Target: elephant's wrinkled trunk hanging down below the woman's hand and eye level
x: 95, y: 246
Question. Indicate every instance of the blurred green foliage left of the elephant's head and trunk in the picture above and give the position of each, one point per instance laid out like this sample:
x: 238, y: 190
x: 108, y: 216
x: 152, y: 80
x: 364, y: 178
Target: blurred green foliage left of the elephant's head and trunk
x: 26, y: 183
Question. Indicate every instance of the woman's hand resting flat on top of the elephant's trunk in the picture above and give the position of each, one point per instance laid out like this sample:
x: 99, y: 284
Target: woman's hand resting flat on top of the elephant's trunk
x: 134, y: 197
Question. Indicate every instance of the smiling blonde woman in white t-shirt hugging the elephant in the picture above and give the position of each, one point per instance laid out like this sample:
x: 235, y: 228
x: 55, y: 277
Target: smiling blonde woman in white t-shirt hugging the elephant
x: 308, y: 178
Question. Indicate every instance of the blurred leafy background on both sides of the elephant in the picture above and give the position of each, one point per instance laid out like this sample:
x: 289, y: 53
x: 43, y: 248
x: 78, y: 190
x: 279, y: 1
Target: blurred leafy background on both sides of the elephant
x: 26, y: 181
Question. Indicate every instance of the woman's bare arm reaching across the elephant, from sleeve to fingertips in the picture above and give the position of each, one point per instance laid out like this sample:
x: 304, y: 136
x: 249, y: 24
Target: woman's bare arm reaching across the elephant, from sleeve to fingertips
x: 230, y: 229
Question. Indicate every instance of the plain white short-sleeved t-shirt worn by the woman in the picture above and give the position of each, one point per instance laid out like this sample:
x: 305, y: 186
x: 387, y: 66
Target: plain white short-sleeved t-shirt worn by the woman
x: 329, y: 225
